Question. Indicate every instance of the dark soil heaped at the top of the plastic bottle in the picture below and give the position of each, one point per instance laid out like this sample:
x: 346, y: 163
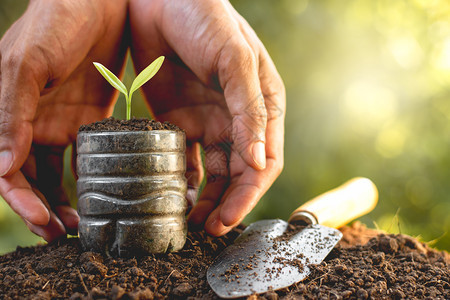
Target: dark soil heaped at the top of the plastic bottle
x: 113, y: 124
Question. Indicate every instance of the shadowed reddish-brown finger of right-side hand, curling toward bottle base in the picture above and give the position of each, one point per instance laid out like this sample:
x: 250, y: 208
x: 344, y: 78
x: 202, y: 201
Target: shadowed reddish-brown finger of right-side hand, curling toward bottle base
x: 216, y: 163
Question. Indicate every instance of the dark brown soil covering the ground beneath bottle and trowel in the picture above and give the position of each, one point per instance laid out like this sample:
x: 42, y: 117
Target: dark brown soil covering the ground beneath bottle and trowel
x: 366, y: 264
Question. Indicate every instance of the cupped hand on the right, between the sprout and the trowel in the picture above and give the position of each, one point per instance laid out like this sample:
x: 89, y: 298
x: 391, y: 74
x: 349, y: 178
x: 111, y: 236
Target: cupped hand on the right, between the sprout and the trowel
x: 219, y: 84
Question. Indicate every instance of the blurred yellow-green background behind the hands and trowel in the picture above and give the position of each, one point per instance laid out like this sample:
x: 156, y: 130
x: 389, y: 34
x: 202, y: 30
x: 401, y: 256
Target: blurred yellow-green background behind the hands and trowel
x: 368, y: 94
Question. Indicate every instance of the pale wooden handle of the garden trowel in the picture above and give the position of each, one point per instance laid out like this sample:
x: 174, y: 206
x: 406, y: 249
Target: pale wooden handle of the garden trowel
x: 339, y: 206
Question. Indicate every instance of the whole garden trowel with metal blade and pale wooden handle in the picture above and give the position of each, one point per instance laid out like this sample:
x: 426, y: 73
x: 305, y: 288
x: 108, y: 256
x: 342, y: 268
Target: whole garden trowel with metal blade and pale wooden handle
x: 273, y: 254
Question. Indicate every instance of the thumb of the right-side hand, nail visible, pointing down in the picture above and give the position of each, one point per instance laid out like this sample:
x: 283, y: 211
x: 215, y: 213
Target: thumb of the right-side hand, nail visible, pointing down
x: 238, y: 71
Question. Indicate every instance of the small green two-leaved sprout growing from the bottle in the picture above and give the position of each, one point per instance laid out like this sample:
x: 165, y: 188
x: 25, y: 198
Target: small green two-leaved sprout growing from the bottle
x: 139, y: 81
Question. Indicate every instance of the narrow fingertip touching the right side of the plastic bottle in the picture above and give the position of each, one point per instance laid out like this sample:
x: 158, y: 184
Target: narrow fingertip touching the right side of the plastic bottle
x: 194, y: 172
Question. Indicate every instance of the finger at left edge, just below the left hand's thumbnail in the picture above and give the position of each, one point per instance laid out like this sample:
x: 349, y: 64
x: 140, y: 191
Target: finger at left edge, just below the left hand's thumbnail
x: 19, y: 195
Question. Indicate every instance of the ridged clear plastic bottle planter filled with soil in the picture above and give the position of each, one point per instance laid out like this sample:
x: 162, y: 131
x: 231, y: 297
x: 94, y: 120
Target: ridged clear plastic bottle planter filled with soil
x: 131, y: 191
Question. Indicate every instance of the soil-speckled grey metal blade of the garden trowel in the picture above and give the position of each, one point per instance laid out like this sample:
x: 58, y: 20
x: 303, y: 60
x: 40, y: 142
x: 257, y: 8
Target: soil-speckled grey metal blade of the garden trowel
x: 265, y: 258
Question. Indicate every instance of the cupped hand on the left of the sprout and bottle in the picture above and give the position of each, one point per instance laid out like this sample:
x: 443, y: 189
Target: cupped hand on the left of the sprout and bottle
x: 48, y: 88
